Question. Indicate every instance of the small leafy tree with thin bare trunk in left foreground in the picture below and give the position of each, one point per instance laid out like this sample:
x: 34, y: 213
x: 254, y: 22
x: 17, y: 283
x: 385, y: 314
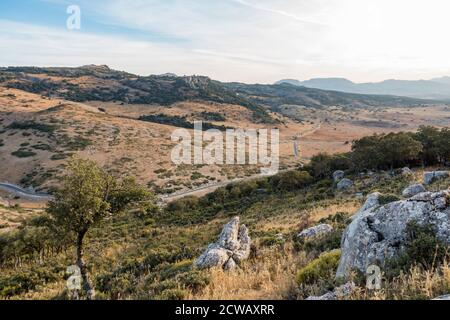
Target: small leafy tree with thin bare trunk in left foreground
x: 89, y: 194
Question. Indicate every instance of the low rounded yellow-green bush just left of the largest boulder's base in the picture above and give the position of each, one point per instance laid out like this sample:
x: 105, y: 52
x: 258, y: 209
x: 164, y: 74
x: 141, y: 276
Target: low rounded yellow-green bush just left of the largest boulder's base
x: 321, y: 268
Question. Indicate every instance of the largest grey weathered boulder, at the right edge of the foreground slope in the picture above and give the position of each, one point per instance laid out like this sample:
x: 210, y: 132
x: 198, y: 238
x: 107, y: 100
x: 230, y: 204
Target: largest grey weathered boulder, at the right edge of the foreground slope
x: 378, y: 231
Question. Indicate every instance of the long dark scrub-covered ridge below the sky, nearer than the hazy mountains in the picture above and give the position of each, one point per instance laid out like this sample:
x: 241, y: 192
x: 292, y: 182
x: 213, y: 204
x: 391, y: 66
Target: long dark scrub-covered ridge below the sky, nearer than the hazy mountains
x: 100, y: 83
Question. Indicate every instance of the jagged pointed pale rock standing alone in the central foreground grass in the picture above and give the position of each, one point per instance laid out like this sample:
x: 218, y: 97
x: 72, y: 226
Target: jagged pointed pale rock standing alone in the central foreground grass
x: 229, y: 251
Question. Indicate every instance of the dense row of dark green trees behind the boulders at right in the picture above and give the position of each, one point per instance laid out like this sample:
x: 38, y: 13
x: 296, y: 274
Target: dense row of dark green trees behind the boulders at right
x: 429, y: 146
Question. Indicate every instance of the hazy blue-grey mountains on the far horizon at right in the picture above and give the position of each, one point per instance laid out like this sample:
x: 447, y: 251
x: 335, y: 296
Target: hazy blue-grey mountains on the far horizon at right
x: 437, y: 88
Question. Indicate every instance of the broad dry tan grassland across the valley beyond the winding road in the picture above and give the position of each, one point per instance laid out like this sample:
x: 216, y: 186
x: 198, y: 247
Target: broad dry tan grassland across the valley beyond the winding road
x: 38, y: 134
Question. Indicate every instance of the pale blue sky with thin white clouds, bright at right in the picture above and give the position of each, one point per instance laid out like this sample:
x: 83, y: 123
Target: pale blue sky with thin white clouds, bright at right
x: 253, y: 41
